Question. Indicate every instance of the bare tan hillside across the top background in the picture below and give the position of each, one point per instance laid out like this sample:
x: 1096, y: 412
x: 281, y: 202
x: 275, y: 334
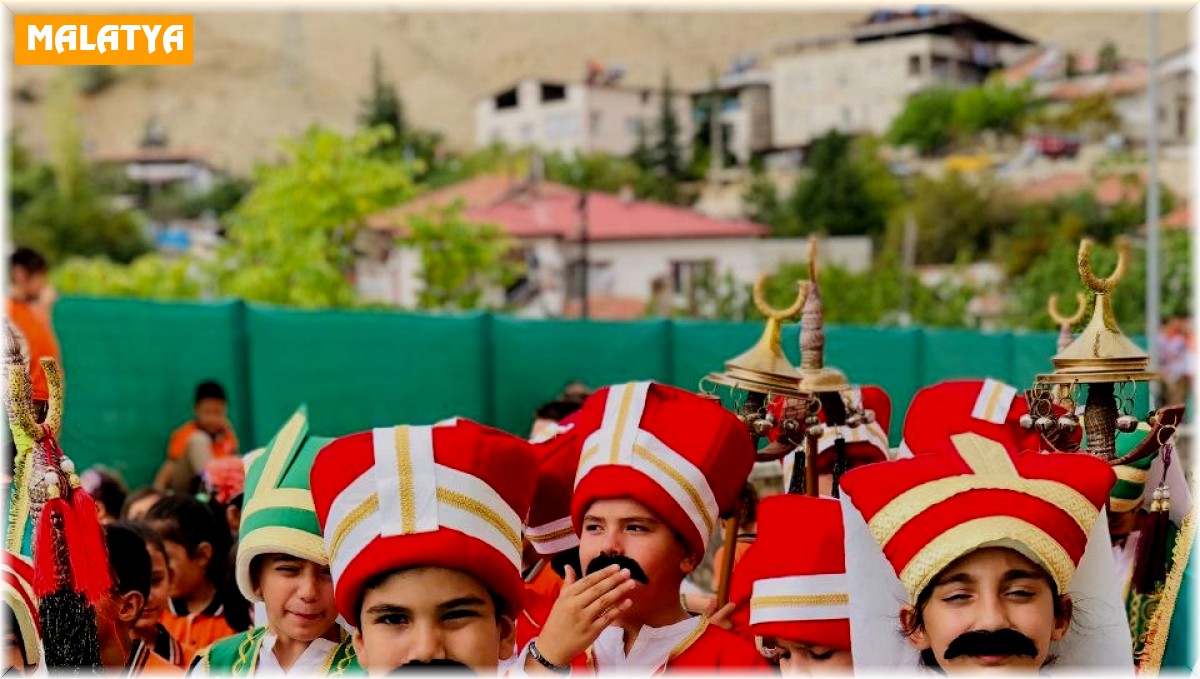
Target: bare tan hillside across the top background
x: 262, y: 76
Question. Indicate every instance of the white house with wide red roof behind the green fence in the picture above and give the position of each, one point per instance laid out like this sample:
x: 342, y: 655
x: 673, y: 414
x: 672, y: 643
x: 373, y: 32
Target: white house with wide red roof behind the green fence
x: 638, y: 253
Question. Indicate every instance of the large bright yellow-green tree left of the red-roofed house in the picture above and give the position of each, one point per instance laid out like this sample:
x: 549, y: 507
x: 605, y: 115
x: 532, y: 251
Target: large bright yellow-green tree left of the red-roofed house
x: 291, y: 241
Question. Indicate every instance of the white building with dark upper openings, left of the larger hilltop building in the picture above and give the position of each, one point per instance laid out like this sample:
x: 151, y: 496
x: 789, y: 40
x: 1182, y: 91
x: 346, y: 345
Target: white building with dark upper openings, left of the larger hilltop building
x: 575, y: 117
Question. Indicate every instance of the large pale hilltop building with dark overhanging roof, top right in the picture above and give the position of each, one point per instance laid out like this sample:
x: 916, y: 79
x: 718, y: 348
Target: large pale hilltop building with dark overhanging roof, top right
x: 859, y: 81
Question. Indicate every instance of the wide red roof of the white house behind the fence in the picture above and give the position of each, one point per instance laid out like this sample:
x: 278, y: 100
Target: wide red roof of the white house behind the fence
x: 551, y: 211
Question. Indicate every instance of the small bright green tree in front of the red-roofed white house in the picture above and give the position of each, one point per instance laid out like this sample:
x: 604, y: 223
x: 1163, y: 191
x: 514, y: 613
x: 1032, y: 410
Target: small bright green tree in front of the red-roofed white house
x: 461, y: 261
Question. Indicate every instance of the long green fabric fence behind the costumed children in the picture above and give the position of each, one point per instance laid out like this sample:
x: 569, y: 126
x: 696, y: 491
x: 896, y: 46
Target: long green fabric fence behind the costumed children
x: 131, y: 366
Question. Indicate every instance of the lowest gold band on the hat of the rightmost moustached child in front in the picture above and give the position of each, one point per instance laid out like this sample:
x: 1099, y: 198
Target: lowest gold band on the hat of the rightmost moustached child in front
x: 973, y: 536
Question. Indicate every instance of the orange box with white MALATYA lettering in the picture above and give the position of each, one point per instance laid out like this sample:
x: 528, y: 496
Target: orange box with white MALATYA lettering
x: 103, y: 40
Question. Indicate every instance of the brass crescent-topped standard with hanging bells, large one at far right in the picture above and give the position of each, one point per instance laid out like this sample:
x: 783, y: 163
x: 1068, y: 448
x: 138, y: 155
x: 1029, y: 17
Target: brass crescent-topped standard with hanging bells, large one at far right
x: 1101, y: 359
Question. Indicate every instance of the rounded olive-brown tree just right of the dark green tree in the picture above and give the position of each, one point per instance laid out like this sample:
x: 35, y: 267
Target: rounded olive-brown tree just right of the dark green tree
x: 957, y: 219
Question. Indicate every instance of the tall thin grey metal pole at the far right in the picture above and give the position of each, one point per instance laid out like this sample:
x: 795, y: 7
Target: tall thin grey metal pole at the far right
x: 1154, y: 286
